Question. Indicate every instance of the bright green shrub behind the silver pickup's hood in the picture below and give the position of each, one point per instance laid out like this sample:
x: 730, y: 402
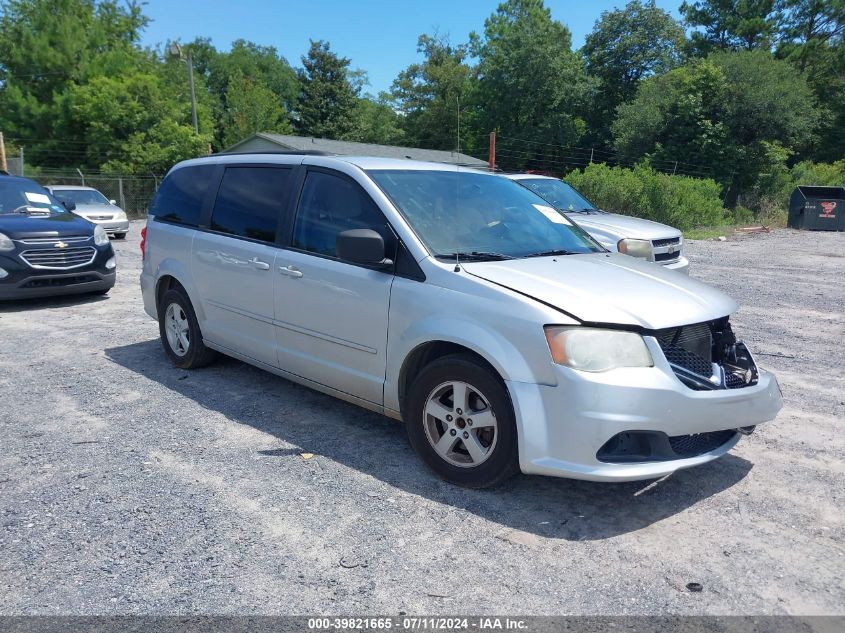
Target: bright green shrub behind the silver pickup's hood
x: 679, y: 201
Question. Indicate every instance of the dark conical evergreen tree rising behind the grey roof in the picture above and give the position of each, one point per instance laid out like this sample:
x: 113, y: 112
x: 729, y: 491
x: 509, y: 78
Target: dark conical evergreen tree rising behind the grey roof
x: 328, y: 99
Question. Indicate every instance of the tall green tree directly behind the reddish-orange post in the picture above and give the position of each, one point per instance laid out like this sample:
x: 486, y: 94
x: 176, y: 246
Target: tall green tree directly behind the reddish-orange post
x: 531, y: 85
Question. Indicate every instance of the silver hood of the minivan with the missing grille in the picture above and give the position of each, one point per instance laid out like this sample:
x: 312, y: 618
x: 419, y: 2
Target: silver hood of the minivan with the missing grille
x: 609, y: 288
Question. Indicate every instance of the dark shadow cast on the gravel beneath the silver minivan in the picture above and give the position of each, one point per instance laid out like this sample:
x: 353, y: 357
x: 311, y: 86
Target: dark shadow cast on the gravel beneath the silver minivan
x: 373, y: 444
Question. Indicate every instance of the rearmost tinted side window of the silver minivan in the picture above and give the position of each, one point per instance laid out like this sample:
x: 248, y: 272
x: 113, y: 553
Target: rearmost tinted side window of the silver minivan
x: 180, y: 197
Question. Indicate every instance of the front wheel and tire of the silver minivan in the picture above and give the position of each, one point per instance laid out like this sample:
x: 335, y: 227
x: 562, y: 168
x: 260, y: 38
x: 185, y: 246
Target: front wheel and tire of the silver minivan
x: 492, y: 455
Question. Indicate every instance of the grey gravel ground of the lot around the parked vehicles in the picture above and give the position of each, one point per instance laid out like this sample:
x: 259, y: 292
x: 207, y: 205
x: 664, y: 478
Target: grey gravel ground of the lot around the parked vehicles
x: 131, y: 487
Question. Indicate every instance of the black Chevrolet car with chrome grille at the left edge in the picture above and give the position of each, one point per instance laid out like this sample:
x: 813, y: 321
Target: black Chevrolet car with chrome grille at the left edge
x: 44, y: 249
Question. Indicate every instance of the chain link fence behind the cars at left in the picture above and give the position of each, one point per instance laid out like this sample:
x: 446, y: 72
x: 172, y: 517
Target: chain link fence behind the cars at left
x: 131, y: 193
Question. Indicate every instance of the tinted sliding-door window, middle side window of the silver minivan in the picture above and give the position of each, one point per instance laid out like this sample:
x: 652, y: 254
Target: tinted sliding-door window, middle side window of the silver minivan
x: 249, y: 202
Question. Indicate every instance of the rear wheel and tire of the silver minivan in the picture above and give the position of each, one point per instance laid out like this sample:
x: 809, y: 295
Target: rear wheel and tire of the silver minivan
x: 180, y: 332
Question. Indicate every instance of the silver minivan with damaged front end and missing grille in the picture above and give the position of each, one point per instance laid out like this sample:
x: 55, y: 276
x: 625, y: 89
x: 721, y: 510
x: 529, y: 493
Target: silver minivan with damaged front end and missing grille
x: 503, y: 335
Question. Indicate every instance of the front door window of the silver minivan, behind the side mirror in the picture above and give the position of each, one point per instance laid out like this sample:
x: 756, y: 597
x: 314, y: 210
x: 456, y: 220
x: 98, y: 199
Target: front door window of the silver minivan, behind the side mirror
x: 330, y: 205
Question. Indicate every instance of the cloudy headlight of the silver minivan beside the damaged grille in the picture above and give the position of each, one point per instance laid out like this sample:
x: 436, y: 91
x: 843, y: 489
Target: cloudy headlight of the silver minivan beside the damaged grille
x: 593, y: 349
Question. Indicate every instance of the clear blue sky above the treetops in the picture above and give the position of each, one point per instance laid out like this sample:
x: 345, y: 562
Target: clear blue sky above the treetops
x: 378, y: 36
